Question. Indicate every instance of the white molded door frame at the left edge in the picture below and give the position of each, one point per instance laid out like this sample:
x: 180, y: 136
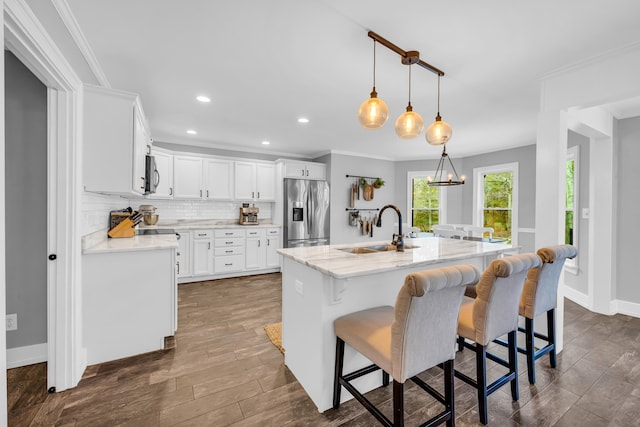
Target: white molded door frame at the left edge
x: 29, y: 42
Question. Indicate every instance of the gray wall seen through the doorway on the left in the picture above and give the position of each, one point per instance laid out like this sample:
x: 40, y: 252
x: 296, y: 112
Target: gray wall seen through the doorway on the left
x: 26, y: 203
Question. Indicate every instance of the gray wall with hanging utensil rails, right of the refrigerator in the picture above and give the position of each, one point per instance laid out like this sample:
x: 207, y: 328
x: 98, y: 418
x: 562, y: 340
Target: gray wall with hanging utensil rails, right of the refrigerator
x: 342, y: 165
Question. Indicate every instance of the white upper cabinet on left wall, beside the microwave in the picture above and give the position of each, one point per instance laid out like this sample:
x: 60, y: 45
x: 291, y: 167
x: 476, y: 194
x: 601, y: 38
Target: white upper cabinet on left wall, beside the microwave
x: 115, y: 138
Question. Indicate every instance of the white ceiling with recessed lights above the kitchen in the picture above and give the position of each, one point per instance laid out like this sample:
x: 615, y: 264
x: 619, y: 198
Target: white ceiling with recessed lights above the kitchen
x: 264, y: 64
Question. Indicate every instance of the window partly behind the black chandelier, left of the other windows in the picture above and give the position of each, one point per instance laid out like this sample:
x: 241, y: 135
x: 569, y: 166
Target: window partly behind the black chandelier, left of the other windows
x: 426, y: 203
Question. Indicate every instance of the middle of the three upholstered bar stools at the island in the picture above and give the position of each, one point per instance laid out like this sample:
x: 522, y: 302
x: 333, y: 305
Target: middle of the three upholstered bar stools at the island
x: 491, y: 314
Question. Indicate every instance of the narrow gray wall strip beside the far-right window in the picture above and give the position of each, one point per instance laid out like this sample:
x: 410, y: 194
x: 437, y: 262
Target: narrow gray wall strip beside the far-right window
x: 579, y: 281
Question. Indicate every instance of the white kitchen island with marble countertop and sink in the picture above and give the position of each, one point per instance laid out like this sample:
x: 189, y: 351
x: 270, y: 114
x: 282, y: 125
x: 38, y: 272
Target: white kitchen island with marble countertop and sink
x: 322, y: 283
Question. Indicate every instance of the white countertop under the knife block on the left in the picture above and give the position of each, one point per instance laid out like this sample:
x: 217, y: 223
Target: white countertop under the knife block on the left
x: 98, y: 242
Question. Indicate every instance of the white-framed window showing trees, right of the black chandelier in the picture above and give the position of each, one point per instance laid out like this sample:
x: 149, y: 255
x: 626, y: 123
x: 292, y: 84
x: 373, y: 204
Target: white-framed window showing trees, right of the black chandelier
x: 496, y: 200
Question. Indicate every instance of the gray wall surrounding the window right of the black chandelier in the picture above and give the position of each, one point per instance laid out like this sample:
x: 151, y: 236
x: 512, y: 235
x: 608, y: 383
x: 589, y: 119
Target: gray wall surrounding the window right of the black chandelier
x: 526, y: 159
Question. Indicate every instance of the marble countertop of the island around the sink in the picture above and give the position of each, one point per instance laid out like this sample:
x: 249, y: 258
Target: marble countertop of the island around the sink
x: 430, y: 250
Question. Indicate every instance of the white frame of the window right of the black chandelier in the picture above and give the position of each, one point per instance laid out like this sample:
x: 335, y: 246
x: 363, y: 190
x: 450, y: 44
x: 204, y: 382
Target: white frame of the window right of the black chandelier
x: 478, y: 195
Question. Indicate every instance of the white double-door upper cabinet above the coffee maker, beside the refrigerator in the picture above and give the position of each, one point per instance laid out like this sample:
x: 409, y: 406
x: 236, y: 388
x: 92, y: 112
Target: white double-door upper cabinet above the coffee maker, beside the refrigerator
x: 254, y: 181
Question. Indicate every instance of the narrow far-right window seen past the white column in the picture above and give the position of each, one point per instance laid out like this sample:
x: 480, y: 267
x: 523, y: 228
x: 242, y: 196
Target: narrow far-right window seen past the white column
x: 571, y: 206
